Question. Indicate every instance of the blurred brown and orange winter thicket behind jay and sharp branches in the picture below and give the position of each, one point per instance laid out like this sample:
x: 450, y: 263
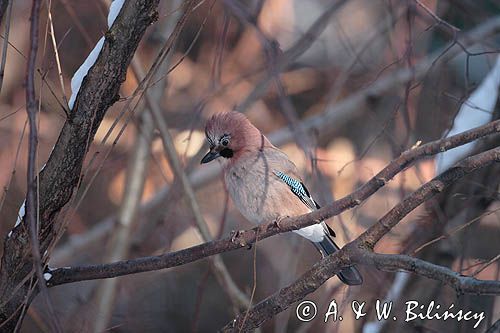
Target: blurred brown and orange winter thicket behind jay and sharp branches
x: 357, y: 85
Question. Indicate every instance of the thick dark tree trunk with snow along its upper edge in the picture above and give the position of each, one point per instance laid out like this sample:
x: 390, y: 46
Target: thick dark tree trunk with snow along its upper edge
x: 60, y: 177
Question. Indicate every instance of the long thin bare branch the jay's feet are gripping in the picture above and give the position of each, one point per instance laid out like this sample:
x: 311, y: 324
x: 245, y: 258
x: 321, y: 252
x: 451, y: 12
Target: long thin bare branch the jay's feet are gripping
x: 243, y: 238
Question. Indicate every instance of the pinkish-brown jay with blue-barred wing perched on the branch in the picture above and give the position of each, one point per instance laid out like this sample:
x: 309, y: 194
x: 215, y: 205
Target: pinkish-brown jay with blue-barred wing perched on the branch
x: 263, y: 183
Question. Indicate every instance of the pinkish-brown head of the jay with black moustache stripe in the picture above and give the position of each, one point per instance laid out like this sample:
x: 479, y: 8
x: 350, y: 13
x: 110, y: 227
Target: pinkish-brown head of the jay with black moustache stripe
x: 229, y: 134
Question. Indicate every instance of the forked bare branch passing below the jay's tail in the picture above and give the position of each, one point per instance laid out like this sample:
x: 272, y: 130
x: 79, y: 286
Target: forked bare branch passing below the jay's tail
x: 359, y: 252
